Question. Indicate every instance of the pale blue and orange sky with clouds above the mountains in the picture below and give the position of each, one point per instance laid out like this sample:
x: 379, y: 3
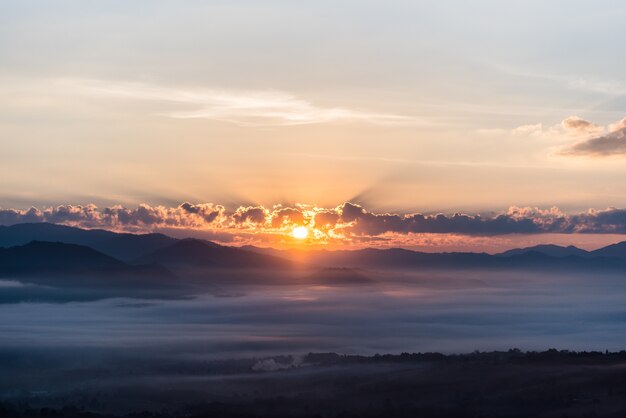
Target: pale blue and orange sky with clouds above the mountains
x: 485, y: 108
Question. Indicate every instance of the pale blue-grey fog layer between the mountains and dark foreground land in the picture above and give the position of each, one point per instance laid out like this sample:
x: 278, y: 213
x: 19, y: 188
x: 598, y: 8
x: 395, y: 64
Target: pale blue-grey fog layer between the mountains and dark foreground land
x: 394, y: 312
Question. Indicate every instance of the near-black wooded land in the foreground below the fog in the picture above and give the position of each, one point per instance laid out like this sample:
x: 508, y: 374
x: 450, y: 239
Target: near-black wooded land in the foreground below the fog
x: 552, y: 383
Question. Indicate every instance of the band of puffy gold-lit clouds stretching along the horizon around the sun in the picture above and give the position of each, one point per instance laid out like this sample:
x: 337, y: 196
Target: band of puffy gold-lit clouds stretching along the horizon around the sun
x: 347, y: 221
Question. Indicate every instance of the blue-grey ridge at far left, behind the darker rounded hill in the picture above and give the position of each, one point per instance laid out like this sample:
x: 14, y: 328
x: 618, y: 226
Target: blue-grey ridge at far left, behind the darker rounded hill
x: 122, y: 246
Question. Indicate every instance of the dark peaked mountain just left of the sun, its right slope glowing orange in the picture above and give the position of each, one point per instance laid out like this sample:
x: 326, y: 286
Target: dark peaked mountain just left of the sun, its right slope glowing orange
x: 192, y: 253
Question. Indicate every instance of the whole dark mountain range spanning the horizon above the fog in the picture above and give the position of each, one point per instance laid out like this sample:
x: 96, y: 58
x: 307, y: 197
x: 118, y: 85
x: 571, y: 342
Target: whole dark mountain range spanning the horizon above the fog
x: 42, y: 248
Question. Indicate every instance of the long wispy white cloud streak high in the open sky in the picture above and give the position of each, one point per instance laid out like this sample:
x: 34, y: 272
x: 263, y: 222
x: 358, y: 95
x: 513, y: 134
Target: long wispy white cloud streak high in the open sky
x: 242, y: 107
